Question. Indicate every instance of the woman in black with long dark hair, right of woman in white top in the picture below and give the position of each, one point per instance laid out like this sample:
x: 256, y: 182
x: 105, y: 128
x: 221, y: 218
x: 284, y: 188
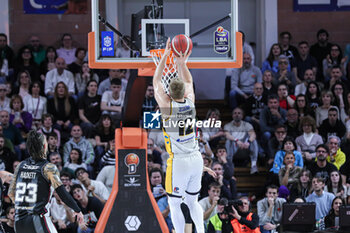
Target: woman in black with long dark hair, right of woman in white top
x: 63, y: 107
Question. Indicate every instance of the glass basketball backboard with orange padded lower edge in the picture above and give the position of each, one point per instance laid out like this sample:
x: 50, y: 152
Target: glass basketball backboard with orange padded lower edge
x: 142, y: 25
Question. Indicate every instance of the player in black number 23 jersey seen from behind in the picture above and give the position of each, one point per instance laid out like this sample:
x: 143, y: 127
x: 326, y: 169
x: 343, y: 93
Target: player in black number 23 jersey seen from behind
x: 32, y: 187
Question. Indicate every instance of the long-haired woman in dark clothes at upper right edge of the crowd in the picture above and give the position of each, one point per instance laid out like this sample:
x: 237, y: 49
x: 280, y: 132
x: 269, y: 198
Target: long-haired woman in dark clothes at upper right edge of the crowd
x: 334, y: 58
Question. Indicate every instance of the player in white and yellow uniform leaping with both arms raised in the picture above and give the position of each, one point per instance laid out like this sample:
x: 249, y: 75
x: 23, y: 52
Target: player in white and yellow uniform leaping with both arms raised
x: 185, y: 164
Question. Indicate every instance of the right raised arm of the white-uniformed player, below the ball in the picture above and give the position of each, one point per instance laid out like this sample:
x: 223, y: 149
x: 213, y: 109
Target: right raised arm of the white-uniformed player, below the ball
x: 185, y: 75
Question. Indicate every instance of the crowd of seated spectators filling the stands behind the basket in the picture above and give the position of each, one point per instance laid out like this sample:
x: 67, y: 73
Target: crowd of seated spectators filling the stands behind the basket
x: 291, y: 115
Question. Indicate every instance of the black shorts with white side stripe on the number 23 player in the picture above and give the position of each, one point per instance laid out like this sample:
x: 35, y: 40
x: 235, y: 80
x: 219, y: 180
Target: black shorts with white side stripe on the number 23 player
x: 35, y: 224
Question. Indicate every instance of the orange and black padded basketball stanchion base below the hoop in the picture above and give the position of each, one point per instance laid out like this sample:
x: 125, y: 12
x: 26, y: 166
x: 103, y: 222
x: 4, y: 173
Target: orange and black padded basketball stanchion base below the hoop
x: 131, y: 206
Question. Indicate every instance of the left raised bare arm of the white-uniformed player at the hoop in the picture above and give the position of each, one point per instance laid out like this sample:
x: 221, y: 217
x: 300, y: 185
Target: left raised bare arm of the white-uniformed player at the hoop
x: 161, y: 97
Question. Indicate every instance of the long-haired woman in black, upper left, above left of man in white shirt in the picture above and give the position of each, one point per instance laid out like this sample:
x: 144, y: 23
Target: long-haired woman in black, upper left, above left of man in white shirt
x: 25, y: 61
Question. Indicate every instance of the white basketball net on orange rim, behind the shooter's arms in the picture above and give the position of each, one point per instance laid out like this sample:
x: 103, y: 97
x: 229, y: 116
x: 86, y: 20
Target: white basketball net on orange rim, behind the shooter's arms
x: 169, y: 71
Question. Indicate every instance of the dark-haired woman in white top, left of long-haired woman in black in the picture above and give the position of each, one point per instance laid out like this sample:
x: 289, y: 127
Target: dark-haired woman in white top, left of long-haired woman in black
x: 35, y: 104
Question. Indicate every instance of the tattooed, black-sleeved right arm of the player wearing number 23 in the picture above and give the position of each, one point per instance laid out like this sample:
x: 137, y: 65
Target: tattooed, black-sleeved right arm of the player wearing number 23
x: 53, y: 175
